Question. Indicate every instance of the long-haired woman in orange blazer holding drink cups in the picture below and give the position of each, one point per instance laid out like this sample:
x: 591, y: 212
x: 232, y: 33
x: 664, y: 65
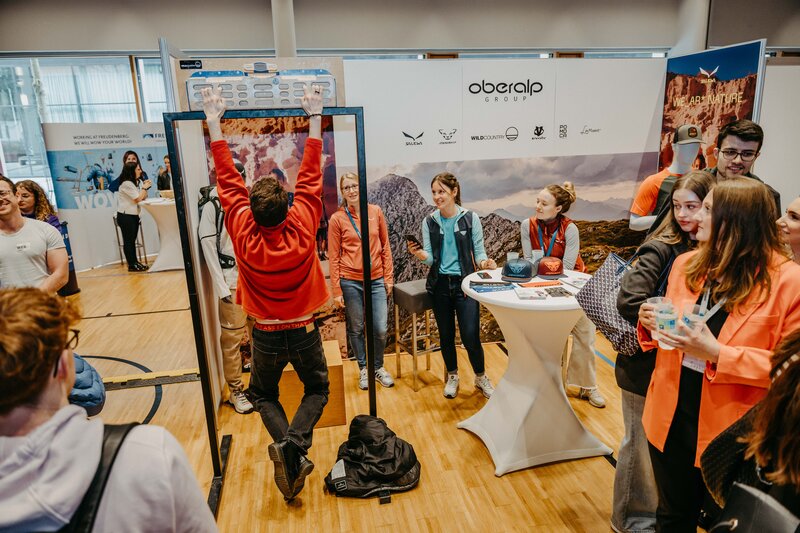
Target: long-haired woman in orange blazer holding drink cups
x: 720, y: 368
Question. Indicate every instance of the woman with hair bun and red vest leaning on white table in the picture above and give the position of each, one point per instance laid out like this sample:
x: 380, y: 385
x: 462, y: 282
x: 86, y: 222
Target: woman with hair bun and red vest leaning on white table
x: 554, y: 235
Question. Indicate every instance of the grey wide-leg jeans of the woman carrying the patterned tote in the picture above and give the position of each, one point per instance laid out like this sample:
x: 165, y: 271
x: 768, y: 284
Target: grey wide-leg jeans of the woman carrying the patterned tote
x: 635, y: 493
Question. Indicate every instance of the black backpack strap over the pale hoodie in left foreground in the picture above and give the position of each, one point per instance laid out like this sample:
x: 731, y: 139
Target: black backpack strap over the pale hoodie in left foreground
x: 84, y: 517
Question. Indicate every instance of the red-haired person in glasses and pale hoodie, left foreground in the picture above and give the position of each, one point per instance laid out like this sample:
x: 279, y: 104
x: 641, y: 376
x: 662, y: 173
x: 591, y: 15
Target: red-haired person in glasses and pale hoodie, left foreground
x: 49, y: 450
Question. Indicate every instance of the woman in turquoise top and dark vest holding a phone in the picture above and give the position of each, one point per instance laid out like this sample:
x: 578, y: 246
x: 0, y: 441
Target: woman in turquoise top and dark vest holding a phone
x: 453, y: 247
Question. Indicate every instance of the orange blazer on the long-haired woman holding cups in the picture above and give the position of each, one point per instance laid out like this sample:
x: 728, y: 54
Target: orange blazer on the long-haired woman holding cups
x: 740, y: 378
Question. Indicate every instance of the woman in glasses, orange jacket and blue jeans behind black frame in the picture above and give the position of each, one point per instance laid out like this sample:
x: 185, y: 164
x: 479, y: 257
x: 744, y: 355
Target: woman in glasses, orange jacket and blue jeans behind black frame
x: 347, y: 275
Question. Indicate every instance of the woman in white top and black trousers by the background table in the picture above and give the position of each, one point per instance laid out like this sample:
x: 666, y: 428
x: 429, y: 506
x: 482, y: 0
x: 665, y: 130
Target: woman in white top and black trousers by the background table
x: 129, y: 196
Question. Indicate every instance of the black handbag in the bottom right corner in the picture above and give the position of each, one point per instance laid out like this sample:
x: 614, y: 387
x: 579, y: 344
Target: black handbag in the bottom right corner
x: 750, y: 510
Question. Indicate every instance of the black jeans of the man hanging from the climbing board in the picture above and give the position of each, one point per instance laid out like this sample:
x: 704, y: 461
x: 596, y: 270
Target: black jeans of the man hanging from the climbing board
x: 272, y: 350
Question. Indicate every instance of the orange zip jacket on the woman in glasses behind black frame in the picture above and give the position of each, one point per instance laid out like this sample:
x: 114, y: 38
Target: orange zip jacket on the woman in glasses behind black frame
x: 344, y: 248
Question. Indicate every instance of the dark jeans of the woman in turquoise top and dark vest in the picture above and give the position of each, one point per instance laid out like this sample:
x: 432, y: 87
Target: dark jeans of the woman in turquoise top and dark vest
x: 449, y: 302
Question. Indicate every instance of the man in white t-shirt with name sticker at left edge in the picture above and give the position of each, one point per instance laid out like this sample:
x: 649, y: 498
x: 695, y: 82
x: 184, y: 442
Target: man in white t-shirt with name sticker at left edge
x: 32, y: 253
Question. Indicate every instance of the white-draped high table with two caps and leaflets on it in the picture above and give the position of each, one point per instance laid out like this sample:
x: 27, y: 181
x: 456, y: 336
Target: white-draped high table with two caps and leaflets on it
x: 528, y: 421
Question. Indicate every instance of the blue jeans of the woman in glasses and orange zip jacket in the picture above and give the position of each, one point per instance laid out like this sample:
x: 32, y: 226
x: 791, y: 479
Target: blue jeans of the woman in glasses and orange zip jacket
x: 353, y: 292
